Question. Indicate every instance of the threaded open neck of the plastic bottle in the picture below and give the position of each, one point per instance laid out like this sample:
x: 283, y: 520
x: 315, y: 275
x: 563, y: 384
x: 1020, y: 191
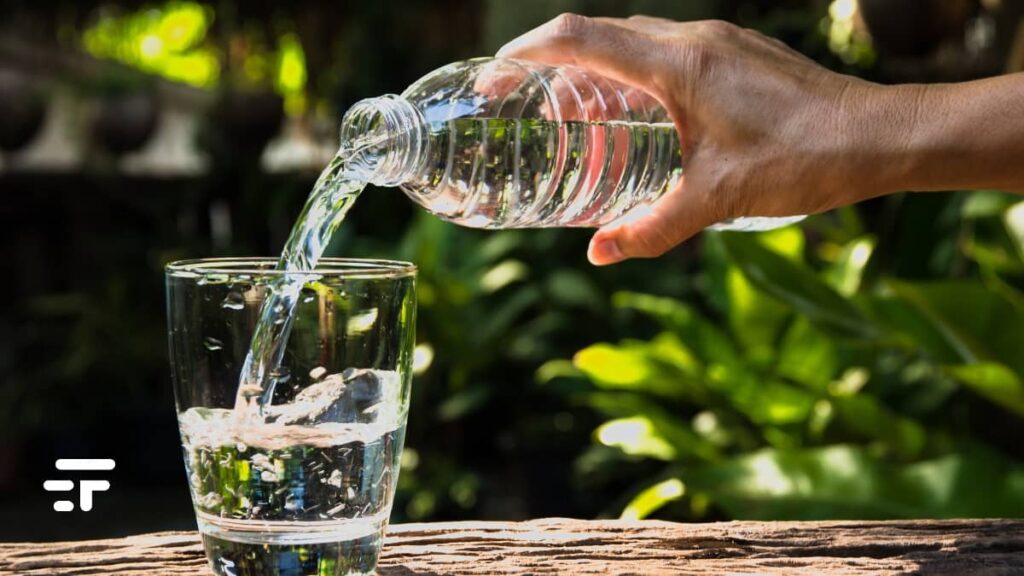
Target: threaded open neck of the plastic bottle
x: 387, y: 139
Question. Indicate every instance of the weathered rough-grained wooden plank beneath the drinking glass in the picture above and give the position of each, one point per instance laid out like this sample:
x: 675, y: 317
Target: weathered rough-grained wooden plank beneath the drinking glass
x: 571, y: 547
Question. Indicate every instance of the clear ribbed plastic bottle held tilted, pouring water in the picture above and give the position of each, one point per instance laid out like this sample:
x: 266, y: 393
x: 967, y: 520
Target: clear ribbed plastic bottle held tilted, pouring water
x: 497, y: 144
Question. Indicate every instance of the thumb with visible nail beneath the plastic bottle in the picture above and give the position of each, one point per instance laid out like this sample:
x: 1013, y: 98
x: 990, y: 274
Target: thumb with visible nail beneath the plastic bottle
x: 647, y: 234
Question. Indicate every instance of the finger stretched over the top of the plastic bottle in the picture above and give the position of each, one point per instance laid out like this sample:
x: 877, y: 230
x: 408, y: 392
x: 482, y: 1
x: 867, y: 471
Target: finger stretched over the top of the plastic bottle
x: 615, y: 52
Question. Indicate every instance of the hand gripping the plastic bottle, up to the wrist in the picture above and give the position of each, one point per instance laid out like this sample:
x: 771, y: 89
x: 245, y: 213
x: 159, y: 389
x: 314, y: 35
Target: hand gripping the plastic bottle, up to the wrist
x: 765, y: 132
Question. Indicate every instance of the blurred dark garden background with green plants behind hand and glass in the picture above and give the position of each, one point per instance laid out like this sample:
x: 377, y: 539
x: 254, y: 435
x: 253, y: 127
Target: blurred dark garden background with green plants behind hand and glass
x: 865, y: 364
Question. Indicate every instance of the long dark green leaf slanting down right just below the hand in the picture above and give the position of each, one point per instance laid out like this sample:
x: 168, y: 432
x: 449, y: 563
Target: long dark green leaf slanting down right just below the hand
x: 796, y: 285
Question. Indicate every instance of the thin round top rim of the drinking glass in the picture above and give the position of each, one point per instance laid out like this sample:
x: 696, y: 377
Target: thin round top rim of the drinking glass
x: 267, y: 267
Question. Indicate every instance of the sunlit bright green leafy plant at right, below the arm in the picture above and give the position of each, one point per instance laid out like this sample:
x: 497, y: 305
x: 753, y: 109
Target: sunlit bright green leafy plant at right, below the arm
x: 818, y: 388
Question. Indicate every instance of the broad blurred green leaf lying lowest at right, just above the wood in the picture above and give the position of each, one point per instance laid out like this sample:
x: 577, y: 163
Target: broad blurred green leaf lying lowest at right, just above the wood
x: 847, y: 482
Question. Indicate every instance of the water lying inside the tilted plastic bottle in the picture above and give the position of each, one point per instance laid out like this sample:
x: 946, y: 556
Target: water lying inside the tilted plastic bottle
x: 501, y: 174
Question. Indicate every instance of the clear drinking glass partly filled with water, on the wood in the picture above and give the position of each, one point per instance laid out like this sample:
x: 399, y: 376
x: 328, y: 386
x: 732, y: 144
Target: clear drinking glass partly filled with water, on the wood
x: 310, y: 490
